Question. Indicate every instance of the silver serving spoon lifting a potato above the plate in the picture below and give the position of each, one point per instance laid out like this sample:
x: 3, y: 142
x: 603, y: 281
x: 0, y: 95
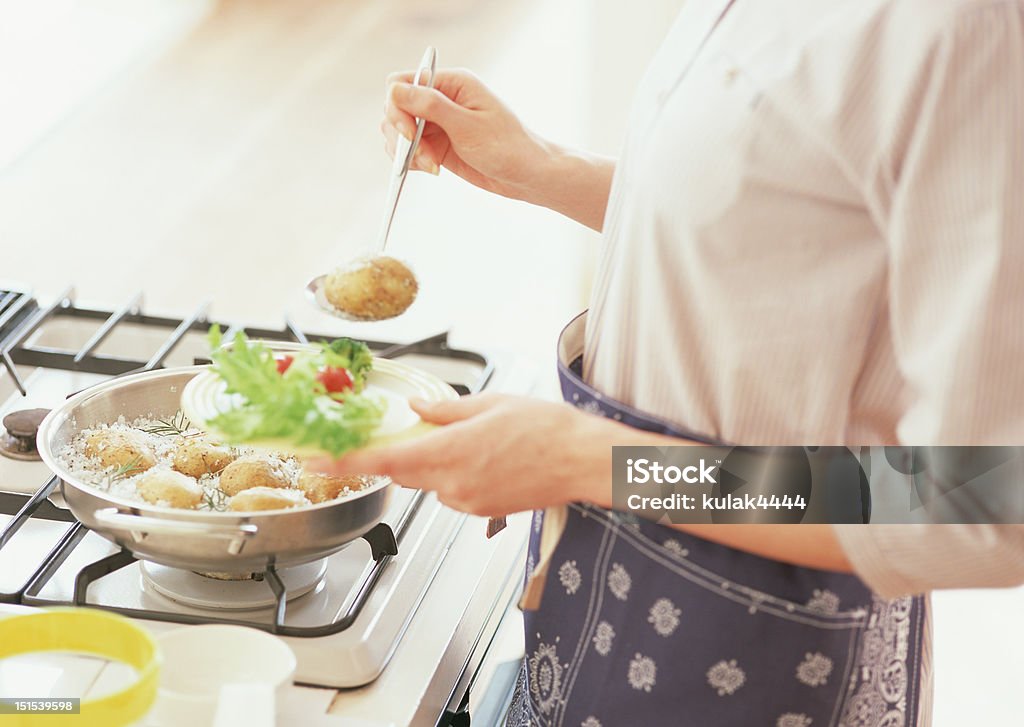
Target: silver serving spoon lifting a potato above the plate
x: 377, y: 274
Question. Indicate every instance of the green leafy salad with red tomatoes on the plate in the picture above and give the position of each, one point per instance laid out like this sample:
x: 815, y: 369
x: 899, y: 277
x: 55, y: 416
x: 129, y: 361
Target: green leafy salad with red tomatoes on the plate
x: 311, y: 399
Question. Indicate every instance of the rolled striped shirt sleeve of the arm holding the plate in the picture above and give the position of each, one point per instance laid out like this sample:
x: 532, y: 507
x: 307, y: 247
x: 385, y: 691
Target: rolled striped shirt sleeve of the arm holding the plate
x: 956, y: 233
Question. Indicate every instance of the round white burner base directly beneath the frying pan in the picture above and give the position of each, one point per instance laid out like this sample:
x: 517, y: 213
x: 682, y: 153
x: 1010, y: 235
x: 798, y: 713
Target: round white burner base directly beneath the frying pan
x: 238, y: 595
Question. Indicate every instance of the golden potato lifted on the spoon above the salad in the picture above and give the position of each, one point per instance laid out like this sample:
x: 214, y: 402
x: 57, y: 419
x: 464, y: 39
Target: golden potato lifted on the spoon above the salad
x: 373, y: 290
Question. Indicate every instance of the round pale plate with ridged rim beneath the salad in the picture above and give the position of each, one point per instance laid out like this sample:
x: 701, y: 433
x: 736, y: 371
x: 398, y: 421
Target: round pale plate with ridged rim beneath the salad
x: 393, y: 382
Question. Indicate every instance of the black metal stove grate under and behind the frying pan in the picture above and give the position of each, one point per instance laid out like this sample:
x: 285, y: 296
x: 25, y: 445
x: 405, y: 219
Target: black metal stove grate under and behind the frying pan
x: 21, y: 317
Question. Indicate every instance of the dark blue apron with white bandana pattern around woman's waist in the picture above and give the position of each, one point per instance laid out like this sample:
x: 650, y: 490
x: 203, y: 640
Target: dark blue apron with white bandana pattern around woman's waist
x: 644, y: 625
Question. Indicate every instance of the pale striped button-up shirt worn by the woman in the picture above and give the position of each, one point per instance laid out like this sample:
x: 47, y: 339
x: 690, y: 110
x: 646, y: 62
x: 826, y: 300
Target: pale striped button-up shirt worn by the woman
x: 817, y: 237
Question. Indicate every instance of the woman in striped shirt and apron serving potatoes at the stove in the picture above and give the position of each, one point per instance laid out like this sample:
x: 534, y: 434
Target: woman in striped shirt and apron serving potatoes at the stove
x: 814, y: 235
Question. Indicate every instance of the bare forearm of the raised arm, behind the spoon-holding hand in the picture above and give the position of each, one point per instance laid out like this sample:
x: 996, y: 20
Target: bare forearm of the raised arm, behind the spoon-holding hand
x: 574, y: 184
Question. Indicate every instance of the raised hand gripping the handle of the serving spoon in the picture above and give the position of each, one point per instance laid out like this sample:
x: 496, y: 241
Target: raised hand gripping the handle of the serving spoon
x: 470, y: 132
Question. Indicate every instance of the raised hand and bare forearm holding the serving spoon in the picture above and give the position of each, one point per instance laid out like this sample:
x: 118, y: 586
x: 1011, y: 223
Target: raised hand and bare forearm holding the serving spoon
x: 474, y: 135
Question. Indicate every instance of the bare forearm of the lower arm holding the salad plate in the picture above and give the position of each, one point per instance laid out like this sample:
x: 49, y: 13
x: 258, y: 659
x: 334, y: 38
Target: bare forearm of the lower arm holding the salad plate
x: 809, y: 546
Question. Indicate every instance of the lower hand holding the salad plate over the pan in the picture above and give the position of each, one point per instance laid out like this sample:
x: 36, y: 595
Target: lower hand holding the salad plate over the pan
x: 498, y: 455
